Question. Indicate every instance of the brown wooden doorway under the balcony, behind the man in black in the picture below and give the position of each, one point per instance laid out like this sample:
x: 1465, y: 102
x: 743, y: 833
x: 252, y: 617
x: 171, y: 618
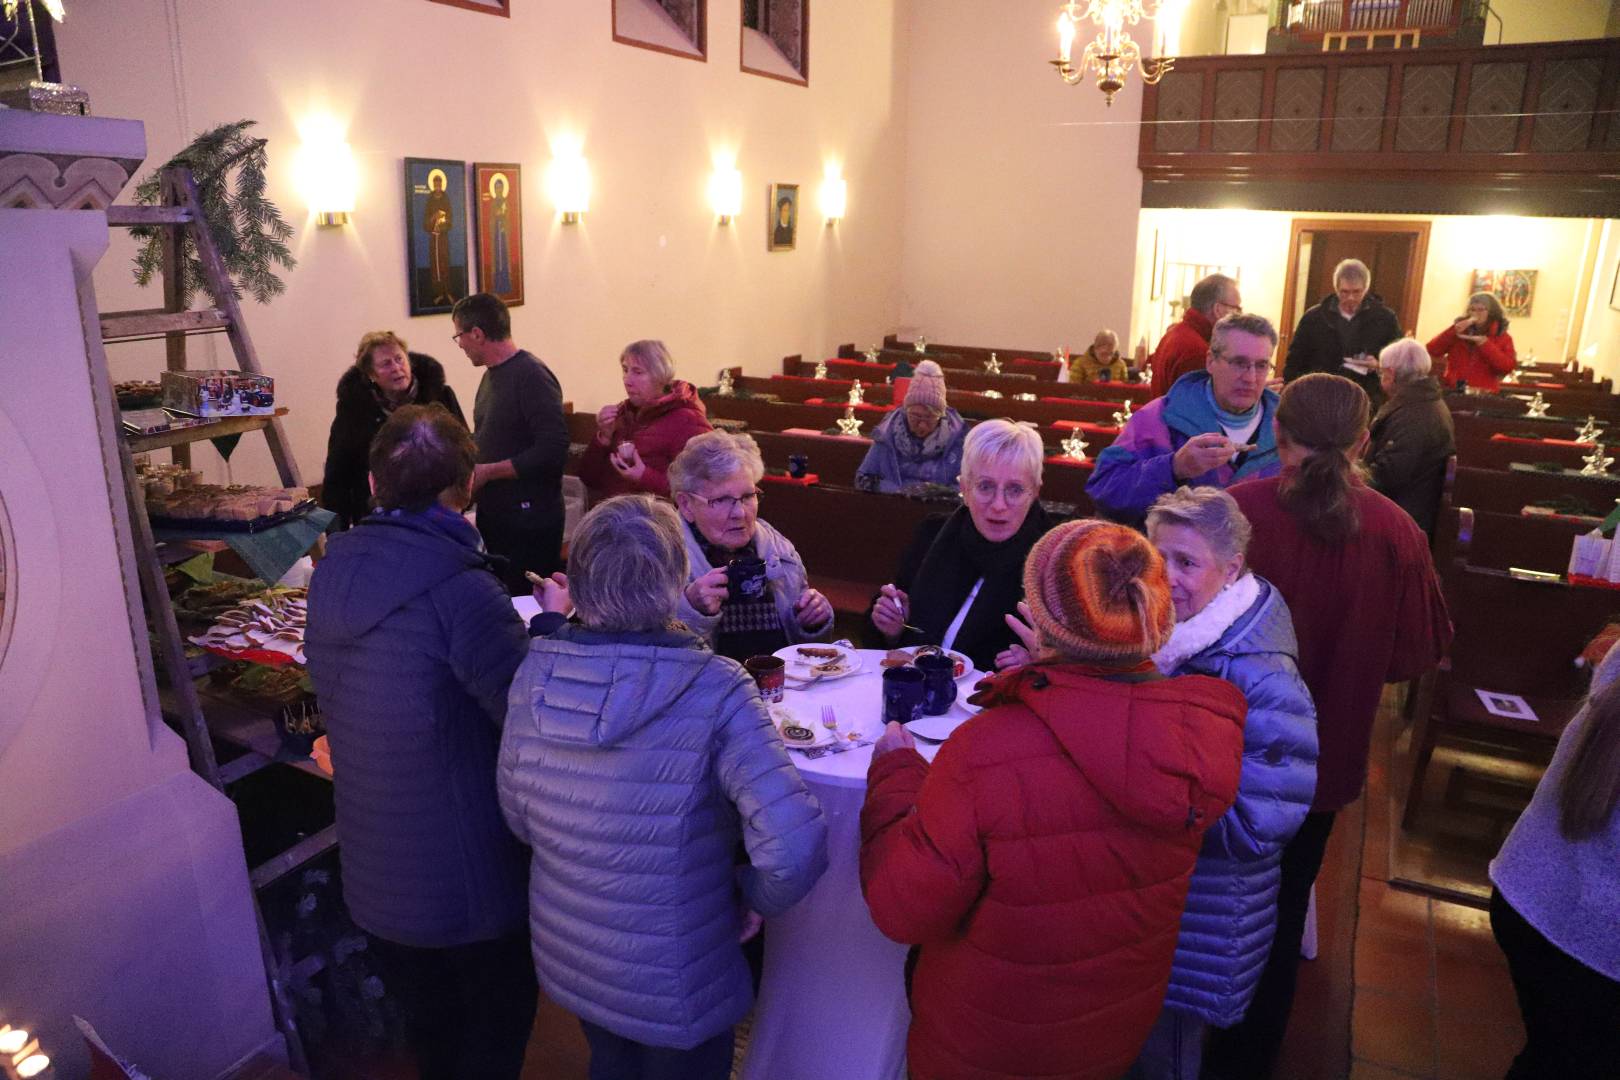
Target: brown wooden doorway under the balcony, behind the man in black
x: 1396, y: 253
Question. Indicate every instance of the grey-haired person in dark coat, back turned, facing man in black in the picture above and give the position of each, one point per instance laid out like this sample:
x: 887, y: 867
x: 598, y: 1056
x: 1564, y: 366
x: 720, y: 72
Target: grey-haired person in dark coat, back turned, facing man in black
x: 1412, y: 436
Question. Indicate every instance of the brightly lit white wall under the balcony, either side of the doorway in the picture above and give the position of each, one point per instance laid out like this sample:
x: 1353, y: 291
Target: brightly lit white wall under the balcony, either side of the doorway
x: 1258, y: 240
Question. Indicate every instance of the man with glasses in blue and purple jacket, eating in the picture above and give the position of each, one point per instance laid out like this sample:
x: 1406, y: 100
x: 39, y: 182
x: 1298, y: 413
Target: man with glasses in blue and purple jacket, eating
x: 1213, y: 430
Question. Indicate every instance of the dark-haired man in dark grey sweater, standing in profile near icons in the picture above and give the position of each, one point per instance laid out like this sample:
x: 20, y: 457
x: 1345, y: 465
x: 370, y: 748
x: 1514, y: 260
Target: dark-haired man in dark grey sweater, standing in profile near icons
x: 522, y: 444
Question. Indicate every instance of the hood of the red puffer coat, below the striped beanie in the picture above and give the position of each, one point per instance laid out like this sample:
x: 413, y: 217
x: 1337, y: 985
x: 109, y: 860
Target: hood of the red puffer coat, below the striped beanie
x: 1162, y: 752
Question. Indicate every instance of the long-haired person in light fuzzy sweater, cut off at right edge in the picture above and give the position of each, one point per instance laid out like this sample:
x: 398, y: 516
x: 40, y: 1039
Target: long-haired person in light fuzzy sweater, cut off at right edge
x: 1556, y: 906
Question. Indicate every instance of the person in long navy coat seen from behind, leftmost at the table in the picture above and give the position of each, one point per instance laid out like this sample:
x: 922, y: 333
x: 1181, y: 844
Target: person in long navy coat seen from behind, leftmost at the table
x: 412, y: 647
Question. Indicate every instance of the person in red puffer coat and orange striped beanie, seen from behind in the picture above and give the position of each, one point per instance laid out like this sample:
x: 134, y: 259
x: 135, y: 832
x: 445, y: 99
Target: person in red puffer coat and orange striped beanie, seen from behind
x: 1042, y: 862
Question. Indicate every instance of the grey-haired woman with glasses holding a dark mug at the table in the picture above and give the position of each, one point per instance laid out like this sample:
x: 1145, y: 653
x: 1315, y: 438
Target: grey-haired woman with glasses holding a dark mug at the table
x: 748, y: 592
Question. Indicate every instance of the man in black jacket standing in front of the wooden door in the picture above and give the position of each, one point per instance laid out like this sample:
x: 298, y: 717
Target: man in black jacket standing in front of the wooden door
x: 1349, y: 325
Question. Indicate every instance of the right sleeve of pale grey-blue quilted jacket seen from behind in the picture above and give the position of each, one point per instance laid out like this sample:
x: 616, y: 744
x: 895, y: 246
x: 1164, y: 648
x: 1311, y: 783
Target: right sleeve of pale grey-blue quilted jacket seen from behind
x: 783, y: 828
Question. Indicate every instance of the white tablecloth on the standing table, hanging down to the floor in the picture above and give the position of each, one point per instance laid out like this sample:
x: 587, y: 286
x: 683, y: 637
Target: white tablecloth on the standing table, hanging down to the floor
x: 833, y: 1000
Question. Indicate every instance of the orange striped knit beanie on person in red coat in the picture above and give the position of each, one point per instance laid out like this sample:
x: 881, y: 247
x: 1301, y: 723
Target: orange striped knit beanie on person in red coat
x: 1098, y: 592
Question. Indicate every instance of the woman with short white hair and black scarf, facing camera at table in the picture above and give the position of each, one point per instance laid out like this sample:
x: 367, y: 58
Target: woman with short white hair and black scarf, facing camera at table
x: 963, y: 576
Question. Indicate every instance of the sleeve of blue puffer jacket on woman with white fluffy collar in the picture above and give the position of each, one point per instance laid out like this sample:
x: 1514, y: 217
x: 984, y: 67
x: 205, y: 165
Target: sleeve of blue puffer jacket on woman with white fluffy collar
x: 1279, y: 763
